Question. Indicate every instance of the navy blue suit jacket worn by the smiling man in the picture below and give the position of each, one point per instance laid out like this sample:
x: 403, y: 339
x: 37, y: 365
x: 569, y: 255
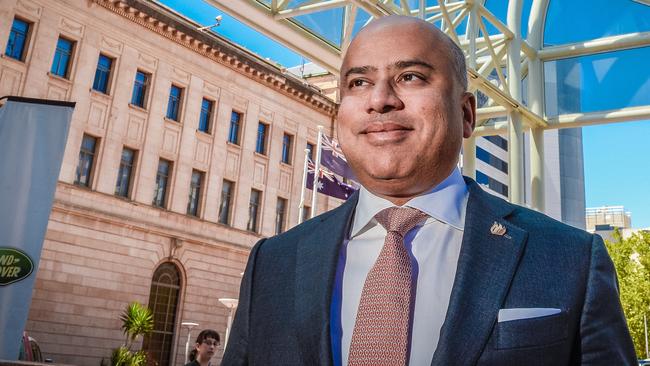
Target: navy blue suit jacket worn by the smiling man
x: 284, y: 306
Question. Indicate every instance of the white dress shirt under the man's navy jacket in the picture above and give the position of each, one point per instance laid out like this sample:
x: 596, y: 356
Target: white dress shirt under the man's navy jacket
x: 436, y: 247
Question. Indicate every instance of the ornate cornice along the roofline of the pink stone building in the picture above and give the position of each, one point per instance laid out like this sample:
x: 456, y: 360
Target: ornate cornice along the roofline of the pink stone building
x: 183, y: 31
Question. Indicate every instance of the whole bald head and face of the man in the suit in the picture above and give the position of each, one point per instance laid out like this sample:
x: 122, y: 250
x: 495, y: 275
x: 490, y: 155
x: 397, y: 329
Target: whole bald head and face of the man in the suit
x: 404, y: 107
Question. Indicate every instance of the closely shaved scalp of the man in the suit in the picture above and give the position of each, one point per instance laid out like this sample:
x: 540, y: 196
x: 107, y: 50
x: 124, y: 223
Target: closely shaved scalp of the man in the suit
x: 416, y: 28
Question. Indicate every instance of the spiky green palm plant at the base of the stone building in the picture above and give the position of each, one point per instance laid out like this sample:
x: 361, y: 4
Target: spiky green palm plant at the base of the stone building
x: 137, y: 320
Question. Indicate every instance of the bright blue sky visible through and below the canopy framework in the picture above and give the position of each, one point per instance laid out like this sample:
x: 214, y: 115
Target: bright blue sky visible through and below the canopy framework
x: 617, y: 168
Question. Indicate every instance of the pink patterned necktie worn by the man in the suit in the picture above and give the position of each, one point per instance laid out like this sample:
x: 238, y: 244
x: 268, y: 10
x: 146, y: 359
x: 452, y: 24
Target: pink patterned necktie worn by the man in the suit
x: 381, y: 330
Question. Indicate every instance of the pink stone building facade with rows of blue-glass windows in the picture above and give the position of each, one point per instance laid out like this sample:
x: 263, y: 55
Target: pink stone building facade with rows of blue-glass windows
x: 184, y: 150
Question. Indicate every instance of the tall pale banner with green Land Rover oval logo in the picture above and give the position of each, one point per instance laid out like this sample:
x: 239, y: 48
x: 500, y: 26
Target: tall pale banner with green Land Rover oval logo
x: 33, y: 134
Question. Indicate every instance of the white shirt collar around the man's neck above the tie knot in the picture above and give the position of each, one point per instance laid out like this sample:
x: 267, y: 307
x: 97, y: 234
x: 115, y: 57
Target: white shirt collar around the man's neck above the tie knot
x: 445, y: 202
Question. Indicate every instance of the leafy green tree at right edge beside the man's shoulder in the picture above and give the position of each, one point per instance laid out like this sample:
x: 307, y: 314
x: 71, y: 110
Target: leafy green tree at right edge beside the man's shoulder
x: 631, y: 256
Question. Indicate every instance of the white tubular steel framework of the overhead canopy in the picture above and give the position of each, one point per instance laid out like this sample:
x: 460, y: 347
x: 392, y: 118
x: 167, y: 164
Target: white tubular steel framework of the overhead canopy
x: 486, y: 55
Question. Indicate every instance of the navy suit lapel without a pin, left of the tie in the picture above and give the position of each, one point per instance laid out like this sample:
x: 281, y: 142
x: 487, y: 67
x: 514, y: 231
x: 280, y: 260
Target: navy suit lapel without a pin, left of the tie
x: 316, y: 262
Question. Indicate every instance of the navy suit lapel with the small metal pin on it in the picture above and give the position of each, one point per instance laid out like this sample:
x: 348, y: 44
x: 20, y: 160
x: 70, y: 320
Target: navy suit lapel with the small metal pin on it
x: 486, y: 266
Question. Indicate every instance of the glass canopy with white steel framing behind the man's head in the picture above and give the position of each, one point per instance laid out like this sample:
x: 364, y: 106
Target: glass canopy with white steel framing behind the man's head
x: 534, y: 65
